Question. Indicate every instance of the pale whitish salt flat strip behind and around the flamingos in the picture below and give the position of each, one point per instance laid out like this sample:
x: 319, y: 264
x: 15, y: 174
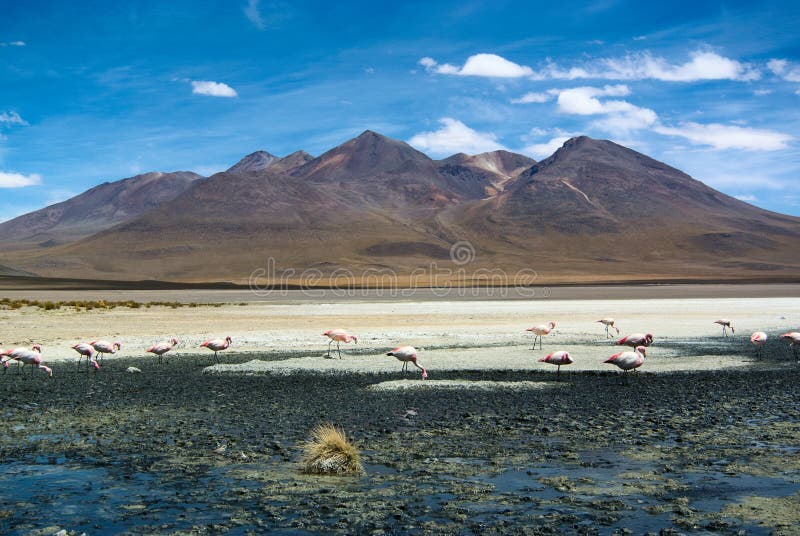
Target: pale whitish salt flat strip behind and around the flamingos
x: 452, y: 334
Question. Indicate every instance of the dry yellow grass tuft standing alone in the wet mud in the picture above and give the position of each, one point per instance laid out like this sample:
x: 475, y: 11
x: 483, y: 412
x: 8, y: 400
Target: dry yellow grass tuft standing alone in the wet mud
x: 329, y: 452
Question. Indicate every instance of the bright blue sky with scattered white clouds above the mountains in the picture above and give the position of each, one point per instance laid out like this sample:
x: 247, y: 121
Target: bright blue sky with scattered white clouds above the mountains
x: 98, y: 91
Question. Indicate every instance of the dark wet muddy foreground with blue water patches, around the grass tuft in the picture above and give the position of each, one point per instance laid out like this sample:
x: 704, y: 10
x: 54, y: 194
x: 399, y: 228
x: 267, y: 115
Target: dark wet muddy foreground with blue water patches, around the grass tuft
x: 172, y: 450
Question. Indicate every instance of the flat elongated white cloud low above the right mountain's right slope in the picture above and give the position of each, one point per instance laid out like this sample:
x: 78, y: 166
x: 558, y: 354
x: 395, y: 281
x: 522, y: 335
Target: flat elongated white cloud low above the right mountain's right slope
x: 728, y: 136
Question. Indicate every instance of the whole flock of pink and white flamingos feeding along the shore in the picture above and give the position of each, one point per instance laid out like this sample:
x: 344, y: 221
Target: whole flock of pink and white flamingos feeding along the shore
x: 95, y: 350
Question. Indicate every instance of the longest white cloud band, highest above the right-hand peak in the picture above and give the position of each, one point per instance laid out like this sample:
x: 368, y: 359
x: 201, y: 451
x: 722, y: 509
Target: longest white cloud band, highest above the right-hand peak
x: 702, y: 65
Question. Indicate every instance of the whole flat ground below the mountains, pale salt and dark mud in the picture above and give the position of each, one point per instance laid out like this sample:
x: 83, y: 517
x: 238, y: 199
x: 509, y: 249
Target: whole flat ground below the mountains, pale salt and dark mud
x: 703, y: 440
